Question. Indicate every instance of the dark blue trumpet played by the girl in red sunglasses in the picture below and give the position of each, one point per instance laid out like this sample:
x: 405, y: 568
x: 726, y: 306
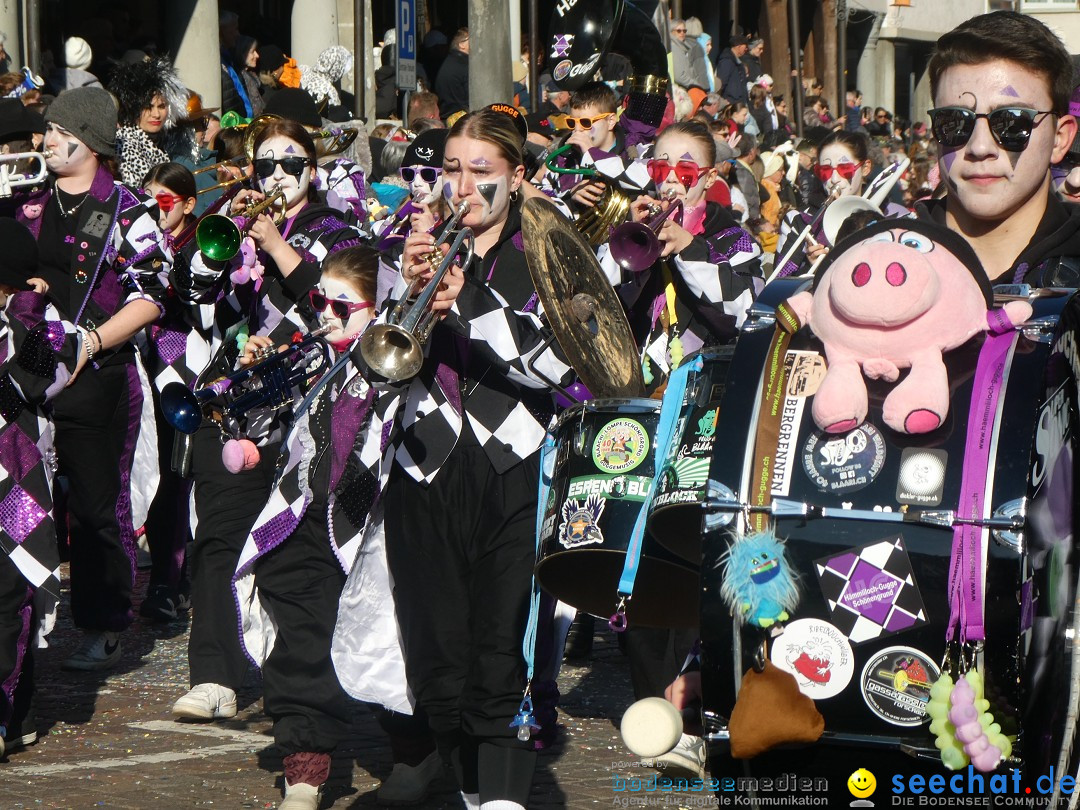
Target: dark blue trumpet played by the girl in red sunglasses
x: 266, y: 385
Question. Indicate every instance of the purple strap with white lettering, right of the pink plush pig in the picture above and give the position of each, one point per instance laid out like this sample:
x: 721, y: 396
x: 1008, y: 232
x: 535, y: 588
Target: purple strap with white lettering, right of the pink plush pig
x: 968, y: 566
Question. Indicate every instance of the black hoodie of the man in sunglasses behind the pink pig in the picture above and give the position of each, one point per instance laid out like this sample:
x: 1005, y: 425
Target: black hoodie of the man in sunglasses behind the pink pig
x: 1052, y: 258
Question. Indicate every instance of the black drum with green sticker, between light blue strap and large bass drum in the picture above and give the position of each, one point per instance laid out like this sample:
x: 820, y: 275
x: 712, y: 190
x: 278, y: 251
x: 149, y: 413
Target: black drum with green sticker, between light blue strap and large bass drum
x: 676, y: 512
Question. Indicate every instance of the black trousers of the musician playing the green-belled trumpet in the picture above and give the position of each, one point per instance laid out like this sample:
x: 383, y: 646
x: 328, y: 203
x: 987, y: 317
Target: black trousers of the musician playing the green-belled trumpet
x: 227, y: 506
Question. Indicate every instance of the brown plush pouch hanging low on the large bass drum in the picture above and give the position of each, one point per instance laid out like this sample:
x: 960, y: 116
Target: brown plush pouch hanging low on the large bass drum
x: 772, y: 711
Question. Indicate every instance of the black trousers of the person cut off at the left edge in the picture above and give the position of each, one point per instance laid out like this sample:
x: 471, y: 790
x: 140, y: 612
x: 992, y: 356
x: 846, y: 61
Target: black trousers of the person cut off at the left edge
x: 17, y: 654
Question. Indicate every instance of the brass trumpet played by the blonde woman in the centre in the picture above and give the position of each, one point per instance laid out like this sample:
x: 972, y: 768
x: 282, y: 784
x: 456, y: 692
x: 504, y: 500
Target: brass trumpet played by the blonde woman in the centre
x: 395, y: 349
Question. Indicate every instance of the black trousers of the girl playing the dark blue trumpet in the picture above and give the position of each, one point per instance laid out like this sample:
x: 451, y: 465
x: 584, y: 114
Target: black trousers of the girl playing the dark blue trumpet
x: 300, y: 585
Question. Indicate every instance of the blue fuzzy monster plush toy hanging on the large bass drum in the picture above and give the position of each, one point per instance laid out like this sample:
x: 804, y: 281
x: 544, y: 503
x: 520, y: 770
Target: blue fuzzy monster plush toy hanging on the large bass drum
x: 759, y: 585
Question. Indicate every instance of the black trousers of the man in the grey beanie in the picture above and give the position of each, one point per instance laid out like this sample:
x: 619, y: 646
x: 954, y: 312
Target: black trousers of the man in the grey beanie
x: 92, y: 420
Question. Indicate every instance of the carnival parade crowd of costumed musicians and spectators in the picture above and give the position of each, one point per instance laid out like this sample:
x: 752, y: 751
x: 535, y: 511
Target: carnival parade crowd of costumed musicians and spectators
x: 375, y: 539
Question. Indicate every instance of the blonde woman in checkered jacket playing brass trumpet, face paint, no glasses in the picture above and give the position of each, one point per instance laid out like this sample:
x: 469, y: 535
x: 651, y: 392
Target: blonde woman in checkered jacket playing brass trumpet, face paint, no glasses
x: 461, y: 501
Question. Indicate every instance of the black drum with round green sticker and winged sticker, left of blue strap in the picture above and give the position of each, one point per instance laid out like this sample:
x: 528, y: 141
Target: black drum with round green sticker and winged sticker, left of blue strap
x: 604, y: 471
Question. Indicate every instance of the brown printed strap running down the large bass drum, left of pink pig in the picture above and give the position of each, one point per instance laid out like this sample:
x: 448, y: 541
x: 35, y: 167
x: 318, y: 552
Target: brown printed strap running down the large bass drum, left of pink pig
x: 774, y: 386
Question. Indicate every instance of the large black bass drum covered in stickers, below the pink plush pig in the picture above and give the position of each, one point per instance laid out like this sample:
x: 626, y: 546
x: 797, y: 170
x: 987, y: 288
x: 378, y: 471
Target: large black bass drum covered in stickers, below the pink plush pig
x: 868, y: 638
